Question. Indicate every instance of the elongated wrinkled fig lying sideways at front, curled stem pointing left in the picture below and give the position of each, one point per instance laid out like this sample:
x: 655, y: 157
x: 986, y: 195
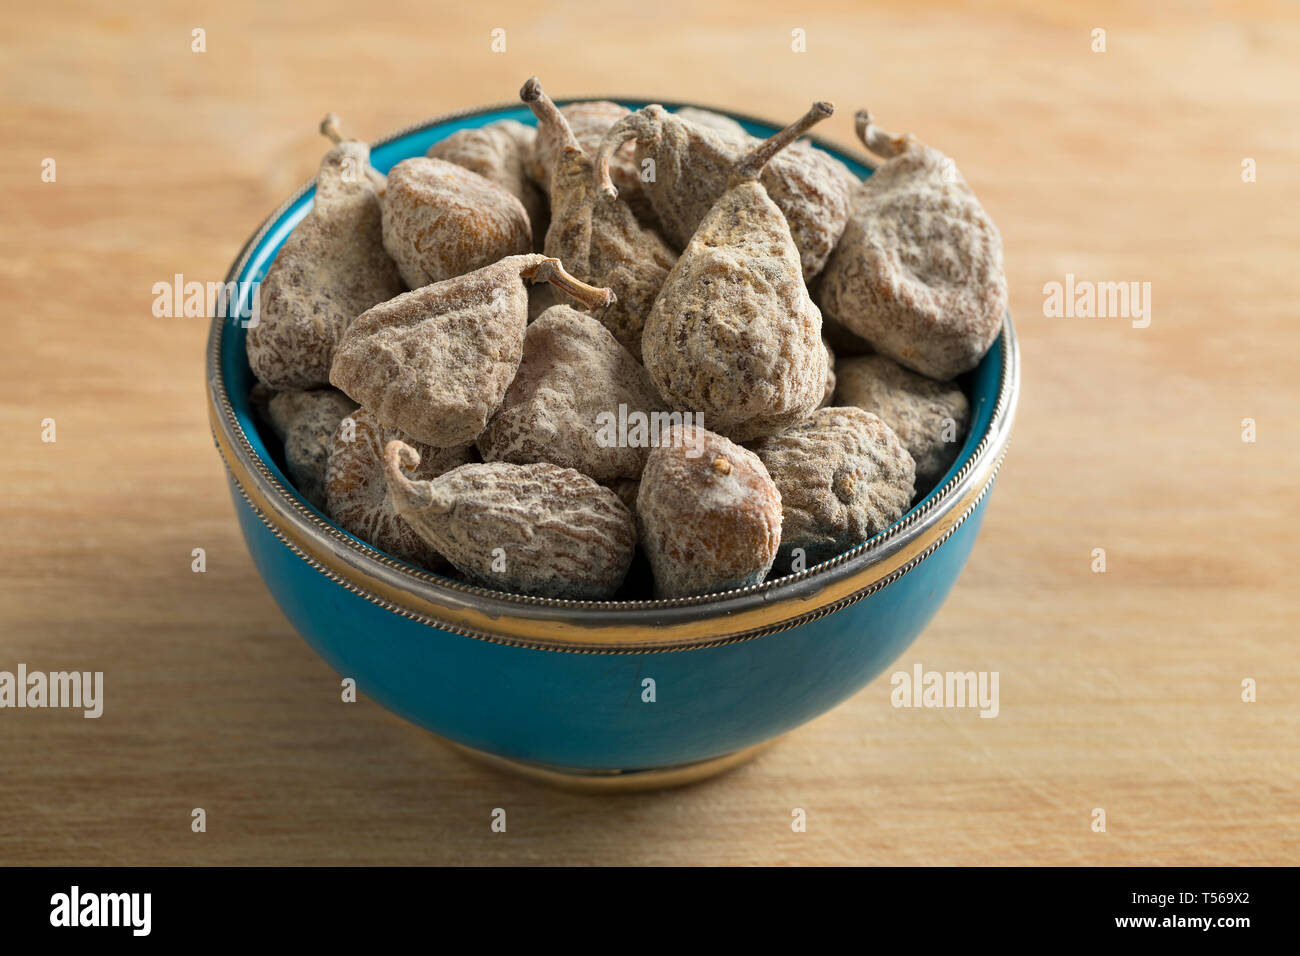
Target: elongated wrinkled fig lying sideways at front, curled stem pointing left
x: 534, y: 530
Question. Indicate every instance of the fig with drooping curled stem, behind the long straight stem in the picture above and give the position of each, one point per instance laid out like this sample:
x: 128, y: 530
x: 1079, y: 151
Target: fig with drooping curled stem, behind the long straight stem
x: 692, y: 167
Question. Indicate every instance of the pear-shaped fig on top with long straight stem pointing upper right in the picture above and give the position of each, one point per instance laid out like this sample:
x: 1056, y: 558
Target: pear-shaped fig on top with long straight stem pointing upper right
x: 734, y: 335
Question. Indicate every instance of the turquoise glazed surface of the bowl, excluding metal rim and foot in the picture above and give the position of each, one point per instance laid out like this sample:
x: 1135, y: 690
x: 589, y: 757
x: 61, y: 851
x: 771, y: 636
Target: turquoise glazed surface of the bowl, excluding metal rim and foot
x: 584, y: 711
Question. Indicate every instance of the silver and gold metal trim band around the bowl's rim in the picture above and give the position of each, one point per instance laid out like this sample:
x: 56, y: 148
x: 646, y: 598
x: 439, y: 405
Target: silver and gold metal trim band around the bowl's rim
x: 601, y: 626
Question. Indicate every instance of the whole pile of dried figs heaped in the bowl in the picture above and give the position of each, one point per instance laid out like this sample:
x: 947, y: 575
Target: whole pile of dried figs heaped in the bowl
x: 539, y: 358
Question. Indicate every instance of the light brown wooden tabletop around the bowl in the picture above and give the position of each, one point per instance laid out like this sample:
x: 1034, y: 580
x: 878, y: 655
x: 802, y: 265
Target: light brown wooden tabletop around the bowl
x: 1119, y: 690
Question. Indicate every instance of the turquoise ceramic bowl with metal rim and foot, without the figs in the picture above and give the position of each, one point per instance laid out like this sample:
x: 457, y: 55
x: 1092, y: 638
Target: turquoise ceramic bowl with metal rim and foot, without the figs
x: 557, y: 689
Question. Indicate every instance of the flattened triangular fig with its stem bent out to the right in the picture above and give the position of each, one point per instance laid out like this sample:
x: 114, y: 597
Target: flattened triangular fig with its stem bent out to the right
x: 437, y: 361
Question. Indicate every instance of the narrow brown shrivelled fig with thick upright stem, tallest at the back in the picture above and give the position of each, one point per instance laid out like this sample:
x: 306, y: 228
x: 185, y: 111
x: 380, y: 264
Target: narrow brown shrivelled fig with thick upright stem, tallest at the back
x: 599, y: 239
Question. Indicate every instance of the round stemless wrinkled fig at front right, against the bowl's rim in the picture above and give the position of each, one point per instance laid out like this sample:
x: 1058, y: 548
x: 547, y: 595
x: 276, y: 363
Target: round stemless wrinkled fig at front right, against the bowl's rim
x: 844, y: 477
